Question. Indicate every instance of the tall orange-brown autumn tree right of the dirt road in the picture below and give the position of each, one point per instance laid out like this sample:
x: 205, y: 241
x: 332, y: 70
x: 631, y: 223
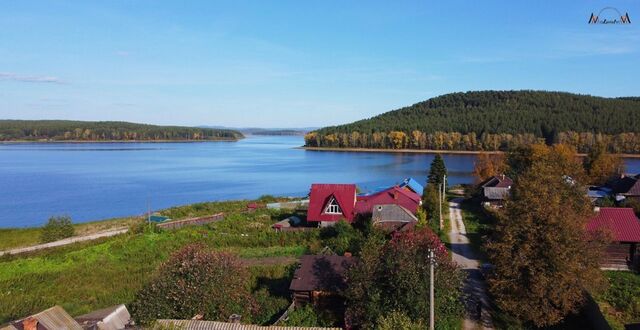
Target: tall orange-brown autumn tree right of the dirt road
x: 544, y: 258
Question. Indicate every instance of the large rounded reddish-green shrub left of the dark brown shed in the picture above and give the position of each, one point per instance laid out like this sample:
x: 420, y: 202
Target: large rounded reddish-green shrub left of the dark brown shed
x: 196, y: 281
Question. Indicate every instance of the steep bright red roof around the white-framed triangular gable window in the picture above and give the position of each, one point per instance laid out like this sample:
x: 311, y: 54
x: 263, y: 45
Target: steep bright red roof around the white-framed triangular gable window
x: 321, y: 194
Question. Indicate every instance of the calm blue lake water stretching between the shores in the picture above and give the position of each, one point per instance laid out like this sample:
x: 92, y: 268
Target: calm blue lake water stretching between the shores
x: 104, y: 180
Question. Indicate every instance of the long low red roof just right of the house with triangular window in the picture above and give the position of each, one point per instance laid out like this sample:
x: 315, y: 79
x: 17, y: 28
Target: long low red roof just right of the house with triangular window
x: 393, y: 195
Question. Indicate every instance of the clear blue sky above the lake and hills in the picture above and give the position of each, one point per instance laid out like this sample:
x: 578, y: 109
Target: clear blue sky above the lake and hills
x: 297, y: 63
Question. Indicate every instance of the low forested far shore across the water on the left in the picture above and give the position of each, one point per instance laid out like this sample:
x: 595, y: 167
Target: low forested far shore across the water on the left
x: 66, y: 130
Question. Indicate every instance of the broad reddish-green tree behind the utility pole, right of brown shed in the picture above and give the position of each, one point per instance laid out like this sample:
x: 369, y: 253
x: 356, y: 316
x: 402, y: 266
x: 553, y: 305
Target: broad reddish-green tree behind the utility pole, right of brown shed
x: 394, y: 275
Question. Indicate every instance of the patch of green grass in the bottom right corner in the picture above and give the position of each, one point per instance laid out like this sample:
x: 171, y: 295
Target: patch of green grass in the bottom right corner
x: 620, y: 304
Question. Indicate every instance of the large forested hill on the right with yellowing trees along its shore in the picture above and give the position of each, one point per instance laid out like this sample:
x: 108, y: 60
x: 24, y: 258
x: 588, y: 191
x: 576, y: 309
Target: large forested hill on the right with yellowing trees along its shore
x: 495, y: 120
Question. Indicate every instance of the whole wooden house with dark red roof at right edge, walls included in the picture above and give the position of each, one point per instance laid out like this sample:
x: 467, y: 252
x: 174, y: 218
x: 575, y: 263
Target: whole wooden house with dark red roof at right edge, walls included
x: 624, y: 229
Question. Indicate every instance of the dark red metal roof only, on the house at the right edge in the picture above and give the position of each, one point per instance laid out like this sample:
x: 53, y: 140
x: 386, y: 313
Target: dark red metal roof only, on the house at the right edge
x: 622, y: 222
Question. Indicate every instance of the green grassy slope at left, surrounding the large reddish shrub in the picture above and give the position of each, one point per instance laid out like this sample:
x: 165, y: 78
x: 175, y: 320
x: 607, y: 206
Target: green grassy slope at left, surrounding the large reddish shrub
x: 87, y: 276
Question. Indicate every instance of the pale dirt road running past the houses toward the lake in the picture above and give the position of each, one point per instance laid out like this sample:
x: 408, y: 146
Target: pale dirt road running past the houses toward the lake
x: 463, y: 254
